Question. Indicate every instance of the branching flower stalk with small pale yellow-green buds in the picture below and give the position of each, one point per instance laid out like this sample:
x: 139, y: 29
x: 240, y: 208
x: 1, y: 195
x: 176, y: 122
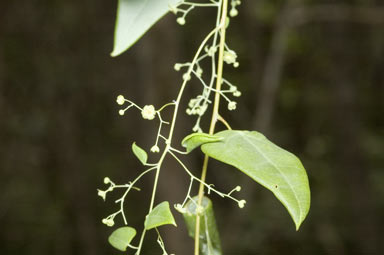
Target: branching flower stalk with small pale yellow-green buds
x: 208, y: 52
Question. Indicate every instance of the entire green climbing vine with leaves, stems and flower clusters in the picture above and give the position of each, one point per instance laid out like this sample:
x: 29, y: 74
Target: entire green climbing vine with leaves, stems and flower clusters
x: 248, y: 151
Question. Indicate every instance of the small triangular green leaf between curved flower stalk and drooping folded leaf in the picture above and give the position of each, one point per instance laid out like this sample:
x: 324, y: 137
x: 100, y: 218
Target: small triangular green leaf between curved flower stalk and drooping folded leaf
x: 160, y: 215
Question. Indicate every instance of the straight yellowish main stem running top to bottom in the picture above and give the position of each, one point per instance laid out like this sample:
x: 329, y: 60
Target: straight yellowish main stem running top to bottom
x: 215, y: 114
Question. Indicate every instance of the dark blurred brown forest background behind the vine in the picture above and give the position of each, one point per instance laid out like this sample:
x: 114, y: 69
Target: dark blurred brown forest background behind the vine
x: 312, y: 77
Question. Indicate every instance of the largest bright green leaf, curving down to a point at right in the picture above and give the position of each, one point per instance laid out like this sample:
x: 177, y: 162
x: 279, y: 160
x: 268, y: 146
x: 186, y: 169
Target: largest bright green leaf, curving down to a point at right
x: 273, y: 167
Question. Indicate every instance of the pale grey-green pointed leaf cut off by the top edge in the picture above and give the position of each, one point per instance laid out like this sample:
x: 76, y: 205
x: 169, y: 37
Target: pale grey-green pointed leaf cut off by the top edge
x: 134, y: 18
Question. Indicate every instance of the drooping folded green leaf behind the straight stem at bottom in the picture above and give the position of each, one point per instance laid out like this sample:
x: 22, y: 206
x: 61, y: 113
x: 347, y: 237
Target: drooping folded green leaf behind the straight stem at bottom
x: 209, y: 235
